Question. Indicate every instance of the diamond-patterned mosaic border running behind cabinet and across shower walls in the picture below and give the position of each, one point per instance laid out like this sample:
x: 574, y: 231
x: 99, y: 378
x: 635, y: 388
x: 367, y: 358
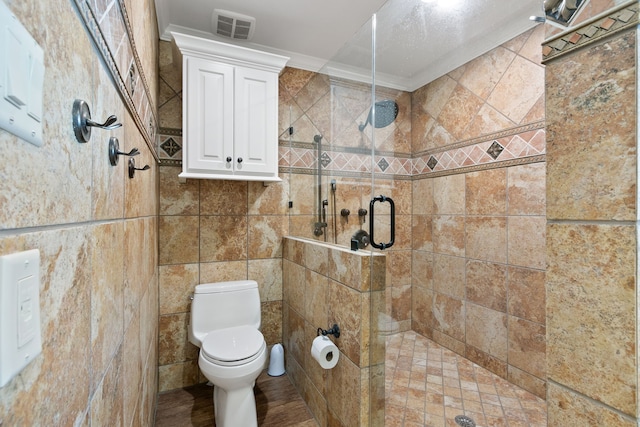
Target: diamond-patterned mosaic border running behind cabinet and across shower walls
x: 517, y: 146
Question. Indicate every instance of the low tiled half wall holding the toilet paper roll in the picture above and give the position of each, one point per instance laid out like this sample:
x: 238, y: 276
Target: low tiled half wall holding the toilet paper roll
x: 324, y: 285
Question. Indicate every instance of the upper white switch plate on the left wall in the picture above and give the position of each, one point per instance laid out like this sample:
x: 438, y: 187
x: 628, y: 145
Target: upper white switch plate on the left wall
x: 21, y: 79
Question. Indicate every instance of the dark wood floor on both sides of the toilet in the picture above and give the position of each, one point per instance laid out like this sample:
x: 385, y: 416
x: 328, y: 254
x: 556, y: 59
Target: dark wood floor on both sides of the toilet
x: 277, y: 404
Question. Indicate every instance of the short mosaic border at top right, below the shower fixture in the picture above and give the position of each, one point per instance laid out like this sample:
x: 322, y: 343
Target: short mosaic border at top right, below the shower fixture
x: 611, y: 22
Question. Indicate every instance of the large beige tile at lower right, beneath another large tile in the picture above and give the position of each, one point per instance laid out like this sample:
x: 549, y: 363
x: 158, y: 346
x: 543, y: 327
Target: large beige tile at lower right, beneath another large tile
x: 591, y: 305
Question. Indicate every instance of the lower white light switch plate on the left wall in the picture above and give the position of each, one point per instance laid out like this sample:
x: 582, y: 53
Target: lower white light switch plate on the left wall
x: 20, y: 338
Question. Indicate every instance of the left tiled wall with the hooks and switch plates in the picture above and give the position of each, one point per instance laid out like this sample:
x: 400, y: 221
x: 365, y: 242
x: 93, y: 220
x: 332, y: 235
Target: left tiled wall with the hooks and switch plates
x: 96, y: 232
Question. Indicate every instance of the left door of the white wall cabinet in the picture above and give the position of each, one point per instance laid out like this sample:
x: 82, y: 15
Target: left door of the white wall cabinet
x: 208, y: 125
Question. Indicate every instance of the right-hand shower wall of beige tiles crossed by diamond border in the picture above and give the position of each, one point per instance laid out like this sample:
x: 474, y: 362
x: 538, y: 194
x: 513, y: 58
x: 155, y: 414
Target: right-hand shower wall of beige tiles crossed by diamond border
x: 479, y: 211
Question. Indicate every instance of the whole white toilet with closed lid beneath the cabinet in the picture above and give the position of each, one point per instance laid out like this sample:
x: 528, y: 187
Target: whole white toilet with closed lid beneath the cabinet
x: 225, y: 322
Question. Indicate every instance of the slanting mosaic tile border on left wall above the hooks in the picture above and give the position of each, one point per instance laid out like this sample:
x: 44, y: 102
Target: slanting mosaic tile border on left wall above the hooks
x: 108, y: 24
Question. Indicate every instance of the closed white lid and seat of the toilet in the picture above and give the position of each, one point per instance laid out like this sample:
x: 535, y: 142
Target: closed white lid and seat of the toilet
x: 234, y: 346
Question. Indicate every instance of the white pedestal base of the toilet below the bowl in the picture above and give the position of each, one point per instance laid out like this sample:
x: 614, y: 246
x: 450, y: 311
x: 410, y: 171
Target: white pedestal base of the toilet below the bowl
x: 235, y: 408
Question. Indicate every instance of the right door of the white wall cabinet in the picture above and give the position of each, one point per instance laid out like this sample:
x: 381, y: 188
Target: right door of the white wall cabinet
x: 256, y: 121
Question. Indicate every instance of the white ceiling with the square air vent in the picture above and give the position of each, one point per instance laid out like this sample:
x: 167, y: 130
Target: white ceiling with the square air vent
x: 417, y: 41
